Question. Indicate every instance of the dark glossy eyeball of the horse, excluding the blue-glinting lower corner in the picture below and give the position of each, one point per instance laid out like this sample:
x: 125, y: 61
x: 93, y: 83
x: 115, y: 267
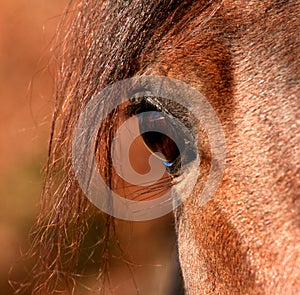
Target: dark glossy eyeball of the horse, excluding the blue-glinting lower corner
x: 158, y: 141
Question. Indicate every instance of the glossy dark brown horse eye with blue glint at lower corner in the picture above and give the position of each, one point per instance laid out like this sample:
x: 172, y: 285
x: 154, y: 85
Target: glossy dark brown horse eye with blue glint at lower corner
x: 165, y: 136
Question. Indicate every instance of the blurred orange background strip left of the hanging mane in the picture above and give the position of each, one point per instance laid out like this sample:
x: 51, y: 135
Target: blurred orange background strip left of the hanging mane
x: 26, y: 30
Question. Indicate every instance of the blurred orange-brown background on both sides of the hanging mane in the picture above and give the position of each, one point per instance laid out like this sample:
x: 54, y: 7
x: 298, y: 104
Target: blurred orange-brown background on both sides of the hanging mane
x: 26, y: 86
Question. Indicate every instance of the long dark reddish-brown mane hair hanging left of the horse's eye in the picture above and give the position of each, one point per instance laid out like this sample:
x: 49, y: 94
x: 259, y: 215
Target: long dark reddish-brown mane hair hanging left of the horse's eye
x: 98, y: 43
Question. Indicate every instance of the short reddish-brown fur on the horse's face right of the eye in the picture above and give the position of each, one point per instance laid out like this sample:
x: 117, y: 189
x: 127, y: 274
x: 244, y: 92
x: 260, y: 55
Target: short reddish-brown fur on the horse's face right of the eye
x: 246, y: 241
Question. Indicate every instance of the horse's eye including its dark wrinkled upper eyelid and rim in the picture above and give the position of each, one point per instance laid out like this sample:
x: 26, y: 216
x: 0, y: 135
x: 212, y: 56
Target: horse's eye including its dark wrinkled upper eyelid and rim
x: 165, y: 135
